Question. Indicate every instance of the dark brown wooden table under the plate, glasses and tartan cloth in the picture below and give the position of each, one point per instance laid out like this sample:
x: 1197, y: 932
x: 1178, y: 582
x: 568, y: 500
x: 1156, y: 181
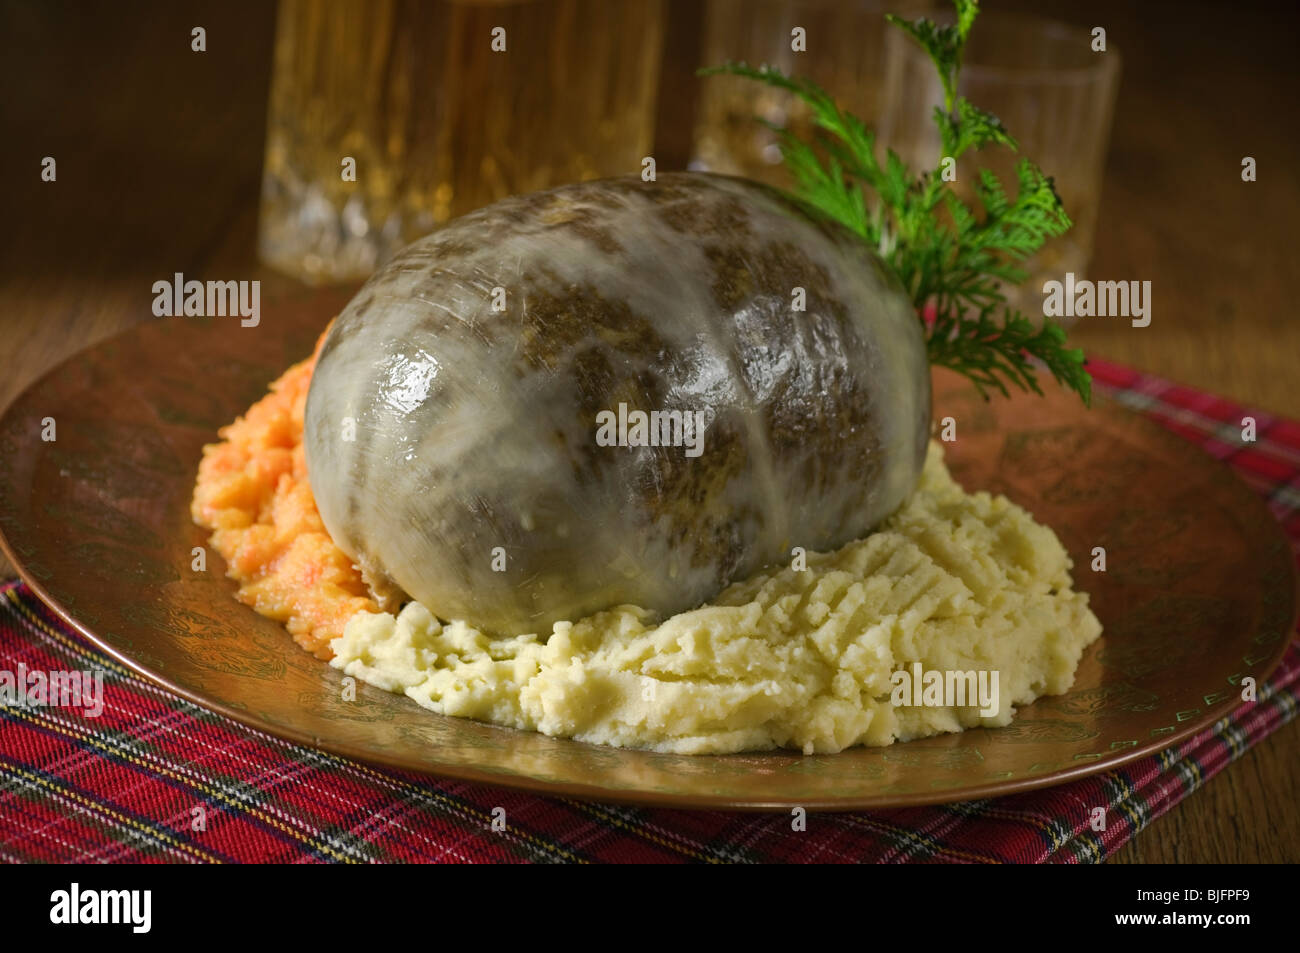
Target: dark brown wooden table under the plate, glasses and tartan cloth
x: 159, y: 155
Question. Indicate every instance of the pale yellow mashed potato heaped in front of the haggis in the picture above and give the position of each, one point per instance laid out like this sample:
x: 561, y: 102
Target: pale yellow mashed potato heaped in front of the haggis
x: 798, y: 659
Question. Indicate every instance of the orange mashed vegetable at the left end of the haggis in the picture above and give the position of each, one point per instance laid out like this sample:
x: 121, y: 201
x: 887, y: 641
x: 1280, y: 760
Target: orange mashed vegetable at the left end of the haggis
x: 253, y: 493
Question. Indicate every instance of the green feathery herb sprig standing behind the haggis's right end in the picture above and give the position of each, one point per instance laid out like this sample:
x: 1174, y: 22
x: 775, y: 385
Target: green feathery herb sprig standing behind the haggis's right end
x: 948, y: 255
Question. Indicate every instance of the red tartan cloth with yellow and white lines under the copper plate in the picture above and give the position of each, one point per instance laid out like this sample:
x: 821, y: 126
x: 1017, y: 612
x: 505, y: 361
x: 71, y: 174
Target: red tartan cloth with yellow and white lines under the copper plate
x: 124, y: 787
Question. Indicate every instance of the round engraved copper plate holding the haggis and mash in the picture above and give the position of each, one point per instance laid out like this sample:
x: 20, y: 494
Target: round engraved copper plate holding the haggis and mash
x: 1199, y: 588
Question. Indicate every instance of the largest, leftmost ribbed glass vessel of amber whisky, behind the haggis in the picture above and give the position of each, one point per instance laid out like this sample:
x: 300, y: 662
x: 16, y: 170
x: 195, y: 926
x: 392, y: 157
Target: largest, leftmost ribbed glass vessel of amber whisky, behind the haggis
x: 389, y: 118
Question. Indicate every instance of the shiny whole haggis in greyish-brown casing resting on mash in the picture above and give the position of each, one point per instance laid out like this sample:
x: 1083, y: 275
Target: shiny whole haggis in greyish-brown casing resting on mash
x: 453, y: 422
